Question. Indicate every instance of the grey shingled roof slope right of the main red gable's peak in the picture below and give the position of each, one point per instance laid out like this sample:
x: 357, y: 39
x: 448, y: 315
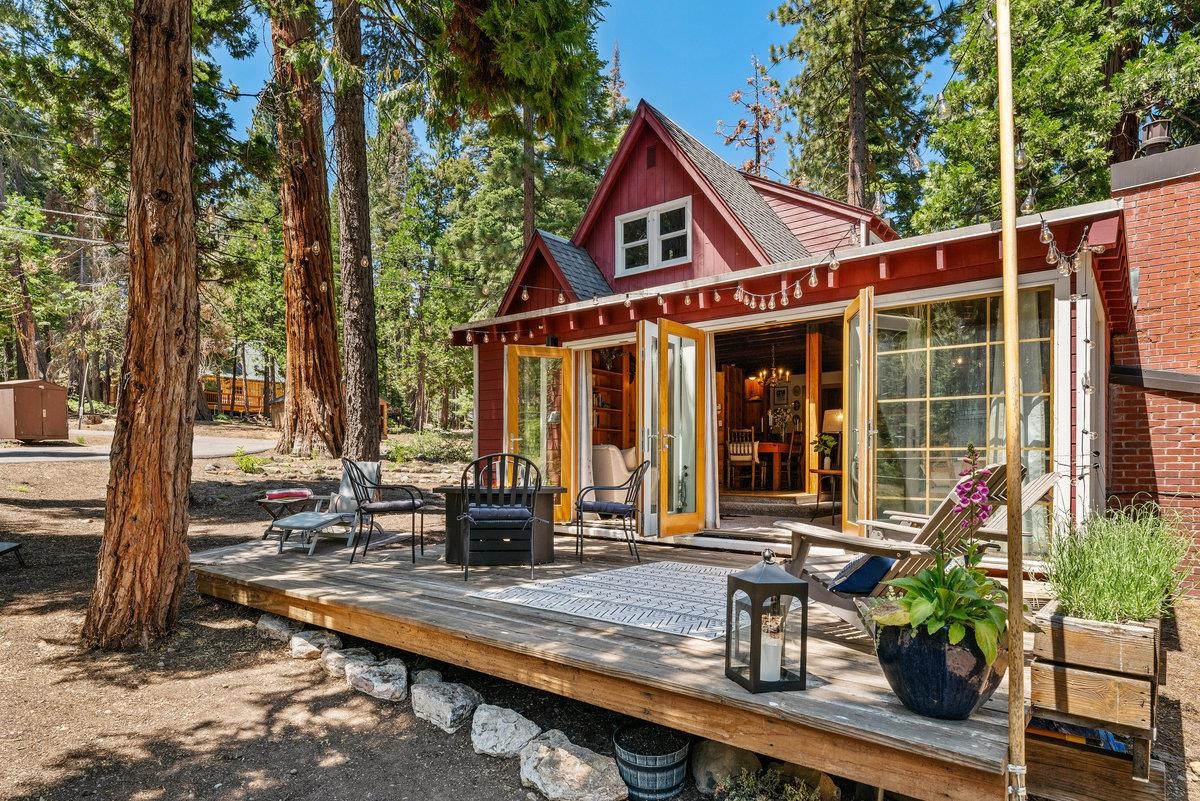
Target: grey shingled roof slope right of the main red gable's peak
x: 747, y: 204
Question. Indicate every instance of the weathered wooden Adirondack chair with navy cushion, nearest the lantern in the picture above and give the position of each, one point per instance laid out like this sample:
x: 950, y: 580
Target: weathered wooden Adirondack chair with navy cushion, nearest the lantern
x: 913, y: 547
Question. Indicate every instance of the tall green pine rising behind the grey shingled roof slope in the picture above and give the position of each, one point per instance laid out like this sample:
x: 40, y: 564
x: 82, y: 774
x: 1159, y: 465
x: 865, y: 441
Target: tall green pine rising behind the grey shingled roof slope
x: 857, y: 98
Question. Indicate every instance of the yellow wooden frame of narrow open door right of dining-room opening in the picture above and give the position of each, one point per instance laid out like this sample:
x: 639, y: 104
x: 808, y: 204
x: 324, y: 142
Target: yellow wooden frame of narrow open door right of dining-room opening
x: 865, y: 306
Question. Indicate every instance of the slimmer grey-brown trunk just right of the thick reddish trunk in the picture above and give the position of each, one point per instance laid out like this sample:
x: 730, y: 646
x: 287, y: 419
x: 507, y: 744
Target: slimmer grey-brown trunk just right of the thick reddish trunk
x: 355, y: 240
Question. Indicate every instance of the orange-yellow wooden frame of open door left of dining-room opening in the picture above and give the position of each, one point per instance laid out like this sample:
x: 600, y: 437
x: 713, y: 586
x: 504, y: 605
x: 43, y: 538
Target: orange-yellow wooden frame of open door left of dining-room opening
x: 677, y: 525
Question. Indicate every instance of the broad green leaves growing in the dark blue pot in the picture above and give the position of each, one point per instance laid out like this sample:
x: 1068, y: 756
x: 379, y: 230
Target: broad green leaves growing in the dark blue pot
x: 950, y: 595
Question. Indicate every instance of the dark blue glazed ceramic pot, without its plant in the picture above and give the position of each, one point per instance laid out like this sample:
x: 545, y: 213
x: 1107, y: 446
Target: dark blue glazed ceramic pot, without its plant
x: 935, y: 679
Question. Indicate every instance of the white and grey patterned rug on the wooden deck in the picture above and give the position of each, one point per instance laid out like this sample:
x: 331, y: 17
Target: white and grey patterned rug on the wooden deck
x: 673, y: 598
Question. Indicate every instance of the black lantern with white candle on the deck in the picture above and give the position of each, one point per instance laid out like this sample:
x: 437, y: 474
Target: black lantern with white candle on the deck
x: 766, y: 628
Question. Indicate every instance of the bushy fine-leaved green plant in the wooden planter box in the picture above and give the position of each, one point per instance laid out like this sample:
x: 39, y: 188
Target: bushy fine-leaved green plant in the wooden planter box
x: 1126, y: 565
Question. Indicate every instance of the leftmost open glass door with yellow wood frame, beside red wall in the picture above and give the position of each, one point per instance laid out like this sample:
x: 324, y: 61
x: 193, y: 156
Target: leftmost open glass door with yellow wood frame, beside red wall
x: 539, y: 415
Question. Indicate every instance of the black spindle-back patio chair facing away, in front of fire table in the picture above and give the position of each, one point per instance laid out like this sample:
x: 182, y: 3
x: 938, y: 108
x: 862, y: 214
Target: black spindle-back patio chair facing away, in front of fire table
x: 499, y: 495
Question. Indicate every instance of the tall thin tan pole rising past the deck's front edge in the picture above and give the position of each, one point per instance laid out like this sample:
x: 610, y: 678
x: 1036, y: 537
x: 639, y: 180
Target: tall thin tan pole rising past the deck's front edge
x: 1012, y: 405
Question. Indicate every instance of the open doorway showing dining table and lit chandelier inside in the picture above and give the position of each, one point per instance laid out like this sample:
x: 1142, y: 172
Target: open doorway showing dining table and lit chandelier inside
x: 779, y: 424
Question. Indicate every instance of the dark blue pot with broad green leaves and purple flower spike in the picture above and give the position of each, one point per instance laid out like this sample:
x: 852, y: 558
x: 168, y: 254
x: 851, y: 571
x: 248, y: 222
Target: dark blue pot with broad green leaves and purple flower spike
x: 940, y: 639
